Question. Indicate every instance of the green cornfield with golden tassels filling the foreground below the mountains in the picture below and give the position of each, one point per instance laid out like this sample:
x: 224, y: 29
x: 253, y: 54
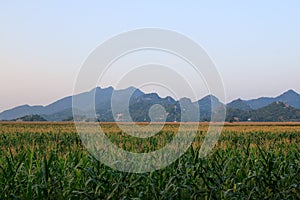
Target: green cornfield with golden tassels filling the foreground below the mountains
x: 250, y: 161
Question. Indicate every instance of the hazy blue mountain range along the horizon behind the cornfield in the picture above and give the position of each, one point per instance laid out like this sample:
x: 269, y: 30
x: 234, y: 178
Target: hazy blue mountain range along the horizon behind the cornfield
x: 285, y: 107
